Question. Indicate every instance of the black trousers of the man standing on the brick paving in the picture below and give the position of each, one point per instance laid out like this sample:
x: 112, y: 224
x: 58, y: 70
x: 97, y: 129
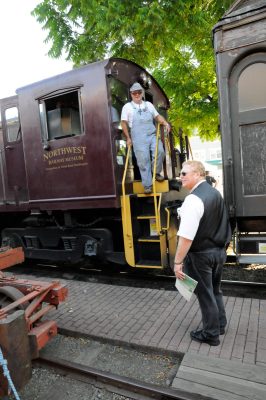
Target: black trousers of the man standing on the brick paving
x: 206, y: 268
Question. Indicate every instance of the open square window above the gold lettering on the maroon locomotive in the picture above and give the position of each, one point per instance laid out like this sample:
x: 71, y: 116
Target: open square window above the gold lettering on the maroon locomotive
x: 61, y: 116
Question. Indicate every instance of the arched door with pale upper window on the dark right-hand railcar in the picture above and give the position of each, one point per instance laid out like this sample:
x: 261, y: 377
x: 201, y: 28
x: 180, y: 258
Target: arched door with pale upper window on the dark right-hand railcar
x: 248, y: 111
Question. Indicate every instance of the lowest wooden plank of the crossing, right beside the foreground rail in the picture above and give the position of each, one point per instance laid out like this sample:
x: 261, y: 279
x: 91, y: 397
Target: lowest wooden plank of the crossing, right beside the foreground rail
x: 214, y: 393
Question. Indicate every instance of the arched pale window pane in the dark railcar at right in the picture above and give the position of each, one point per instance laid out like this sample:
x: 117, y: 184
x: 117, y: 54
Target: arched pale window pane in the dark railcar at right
x: 252, y: 87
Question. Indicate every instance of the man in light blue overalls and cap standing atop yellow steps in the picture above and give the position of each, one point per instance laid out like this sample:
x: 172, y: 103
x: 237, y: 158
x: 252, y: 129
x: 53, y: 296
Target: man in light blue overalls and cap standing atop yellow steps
x: 138, y: 117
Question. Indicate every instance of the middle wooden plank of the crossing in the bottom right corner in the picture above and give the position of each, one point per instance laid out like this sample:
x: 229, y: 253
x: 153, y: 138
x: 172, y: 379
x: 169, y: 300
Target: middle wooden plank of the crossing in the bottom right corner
x: 230, y: 385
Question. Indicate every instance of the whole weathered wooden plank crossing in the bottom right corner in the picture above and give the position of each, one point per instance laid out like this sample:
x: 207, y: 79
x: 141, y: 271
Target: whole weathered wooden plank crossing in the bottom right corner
x: 220, y: 379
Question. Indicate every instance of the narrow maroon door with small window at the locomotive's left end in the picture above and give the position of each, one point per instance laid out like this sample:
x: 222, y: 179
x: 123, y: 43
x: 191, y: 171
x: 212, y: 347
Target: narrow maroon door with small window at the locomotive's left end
x: 13, y: 151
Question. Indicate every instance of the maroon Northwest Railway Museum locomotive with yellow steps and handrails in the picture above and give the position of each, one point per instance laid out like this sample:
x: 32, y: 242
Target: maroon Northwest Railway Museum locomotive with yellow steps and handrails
x: 68, y: 191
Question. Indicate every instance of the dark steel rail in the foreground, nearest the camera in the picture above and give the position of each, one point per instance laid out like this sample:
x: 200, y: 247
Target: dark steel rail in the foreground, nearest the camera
x: 132, y: 388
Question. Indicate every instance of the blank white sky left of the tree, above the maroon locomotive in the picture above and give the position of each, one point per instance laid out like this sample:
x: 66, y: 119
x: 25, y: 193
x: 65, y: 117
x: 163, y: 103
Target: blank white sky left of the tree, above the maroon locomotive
x: 24, y: 58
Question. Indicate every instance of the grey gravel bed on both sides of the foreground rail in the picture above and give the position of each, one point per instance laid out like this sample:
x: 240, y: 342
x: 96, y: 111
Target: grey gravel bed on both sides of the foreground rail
x: 152, y: 368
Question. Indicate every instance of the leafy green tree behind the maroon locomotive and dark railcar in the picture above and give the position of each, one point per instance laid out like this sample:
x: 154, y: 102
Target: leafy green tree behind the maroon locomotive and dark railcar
x: 172, y: 39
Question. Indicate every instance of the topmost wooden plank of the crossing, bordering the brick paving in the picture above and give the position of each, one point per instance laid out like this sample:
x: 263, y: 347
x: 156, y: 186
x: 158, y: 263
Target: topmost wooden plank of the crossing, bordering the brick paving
x: 252, y: 373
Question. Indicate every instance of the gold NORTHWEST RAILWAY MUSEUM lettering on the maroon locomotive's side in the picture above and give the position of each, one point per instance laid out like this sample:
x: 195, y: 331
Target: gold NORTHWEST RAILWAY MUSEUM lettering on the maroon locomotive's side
x: 65, y: 157
